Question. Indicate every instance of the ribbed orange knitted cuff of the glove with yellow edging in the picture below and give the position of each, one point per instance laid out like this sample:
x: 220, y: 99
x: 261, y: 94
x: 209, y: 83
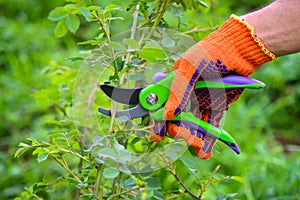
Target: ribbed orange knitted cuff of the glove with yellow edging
x: 237, y: 46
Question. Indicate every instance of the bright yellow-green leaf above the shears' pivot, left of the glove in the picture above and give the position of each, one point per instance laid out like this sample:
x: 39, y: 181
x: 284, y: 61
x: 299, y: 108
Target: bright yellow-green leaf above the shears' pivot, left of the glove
x: 152, y: 53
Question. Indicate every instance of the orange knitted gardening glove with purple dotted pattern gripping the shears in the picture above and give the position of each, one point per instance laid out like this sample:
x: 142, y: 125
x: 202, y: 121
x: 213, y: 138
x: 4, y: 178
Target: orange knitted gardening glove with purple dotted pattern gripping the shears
x: 232, y: 49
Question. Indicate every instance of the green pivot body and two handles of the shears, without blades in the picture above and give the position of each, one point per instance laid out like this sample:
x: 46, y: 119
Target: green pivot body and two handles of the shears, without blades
x: 161, y: 90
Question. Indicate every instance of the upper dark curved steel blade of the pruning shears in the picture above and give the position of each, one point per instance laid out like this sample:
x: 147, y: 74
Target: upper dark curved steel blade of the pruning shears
x: 122, y: 95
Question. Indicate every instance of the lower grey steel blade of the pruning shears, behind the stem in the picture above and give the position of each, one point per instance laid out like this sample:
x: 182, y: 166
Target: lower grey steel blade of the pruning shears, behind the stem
x: 135, y: 112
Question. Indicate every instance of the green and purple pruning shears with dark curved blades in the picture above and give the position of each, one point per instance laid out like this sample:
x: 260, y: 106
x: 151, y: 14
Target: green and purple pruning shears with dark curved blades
x: 151, y: 99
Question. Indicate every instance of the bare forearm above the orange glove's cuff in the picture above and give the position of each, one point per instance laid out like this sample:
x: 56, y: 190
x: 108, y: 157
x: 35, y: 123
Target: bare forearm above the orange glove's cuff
x: 278, y: 26
